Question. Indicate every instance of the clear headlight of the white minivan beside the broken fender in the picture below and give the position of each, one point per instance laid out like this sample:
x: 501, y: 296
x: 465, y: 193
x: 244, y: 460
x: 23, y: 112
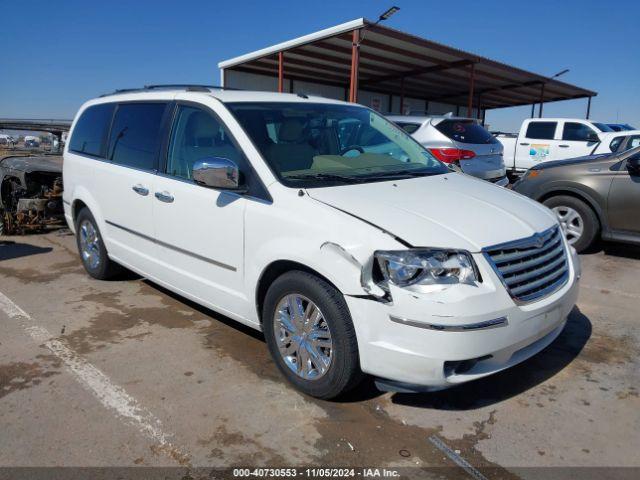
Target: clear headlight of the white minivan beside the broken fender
x: 417, y: 267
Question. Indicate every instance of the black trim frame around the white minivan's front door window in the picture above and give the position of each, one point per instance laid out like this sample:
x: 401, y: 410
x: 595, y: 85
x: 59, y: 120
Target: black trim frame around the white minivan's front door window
x: 261, y: 193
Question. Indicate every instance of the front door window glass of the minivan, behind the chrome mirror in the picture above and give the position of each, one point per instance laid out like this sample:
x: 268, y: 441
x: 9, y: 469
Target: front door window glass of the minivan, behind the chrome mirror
x: 197, y: 135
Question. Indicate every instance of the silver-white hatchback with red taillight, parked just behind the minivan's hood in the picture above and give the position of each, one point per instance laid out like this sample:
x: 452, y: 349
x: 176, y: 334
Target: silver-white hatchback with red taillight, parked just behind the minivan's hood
x: 458, y: 141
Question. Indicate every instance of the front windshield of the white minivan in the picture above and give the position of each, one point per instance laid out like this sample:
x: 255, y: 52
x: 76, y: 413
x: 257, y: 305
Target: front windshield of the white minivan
x: 311, y: 145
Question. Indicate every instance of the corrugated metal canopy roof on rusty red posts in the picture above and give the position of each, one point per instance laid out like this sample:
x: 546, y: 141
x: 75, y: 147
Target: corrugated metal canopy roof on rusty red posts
x: 391, y: 60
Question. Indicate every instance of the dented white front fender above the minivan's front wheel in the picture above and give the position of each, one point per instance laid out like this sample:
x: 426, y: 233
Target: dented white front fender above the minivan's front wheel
x: 305, y: 231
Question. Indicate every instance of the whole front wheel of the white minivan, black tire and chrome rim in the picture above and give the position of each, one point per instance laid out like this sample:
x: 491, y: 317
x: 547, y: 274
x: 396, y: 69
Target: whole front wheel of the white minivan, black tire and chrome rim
x: 310, y: 335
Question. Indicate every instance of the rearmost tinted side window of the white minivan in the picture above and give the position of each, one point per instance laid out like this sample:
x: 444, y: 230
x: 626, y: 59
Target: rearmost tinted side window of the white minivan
x: 90, y: 133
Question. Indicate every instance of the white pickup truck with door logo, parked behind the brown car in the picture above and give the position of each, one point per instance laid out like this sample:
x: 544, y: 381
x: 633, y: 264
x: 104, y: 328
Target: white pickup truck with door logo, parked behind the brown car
x: 546, y: 139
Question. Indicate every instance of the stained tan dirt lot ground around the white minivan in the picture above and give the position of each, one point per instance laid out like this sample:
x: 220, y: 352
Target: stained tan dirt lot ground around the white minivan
x: 124, y: 373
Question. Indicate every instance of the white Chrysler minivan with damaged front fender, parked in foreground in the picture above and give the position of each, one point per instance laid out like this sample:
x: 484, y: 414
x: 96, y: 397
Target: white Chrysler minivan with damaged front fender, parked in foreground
x: 351, y: 260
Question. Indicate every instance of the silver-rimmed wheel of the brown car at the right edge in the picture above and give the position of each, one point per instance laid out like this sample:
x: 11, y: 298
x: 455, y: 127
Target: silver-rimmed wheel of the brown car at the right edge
x: 579, y: 222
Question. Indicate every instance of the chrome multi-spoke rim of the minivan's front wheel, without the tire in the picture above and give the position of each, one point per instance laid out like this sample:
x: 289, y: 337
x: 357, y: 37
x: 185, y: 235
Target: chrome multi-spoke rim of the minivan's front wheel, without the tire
x: 303, y: 337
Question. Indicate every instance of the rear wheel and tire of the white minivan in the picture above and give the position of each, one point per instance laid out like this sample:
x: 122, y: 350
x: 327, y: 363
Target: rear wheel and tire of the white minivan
x: 91, y: 248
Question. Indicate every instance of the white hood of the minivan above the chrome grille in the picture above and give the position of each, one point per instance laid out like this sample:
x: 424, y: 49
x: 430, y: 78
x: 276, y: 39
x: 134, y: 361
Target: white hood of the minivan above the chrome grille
x: 446, y: 211
